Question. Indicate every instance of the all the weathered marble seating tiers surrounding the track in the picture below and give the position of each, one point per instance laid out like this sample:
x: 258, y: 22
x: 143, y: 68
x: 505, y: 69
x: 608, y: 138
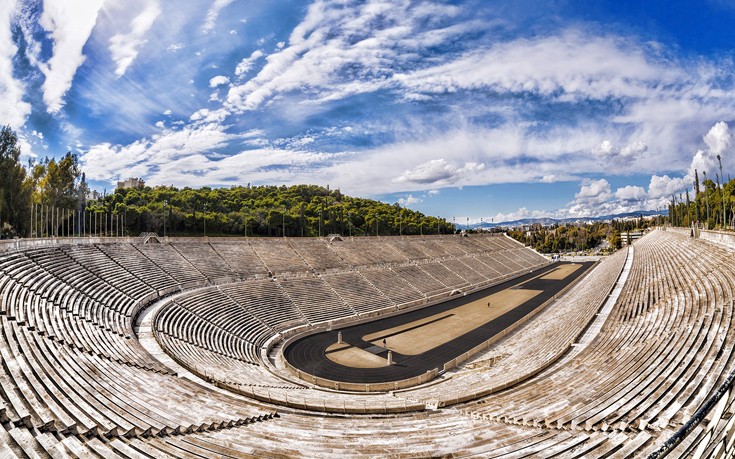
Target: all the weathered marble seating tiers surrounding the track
x: 75, y: 382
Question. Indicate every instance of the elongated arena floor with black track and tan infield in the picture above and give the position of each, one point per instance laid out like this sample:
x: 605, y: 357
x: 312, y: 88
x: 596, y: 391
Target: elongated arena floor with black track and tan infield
x: 413, y: 347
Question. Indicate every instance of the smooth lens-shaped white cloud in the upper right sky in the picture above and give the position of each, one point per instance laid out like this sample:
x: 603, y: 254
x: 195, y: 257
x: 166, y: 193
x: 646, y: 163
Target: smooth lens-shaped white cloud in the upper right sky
x: 570, y: 65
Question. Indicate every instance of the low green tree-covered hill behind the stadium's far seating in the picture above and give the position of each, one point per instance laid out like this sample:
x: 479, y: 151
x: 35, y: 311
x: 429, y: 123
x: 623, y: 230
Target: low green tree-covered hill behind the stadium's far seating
x: 300, y: 210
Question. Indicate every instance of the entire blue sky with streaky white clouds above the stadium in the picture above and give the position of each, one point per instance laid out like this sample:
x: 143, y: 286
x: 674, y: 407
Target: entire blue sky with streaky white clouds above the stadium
x: 493, y: 110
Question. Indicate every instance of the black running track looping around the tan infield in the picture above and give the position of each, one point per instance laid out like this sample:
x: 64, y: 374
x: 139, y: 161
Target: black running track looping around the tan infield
x: 308, y: 353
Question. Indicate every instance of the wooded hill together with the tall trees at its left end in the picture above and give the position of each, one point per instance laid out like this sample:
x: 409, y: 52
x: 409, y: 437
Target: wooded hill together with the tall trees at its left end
x: 49, y: 197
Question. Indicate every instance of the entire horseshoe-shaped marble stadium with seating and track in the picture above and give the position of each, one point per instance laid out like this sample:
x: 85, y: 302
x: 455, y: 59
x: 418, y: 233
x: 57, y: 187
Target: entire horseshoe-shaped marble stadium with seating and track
x: 435, y: 346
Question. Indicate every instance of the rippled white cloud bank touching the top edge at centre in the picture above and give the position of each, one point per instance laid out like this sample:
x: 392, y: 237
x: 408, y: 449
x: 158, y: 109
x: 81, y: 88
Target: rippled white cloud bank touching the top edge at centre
x: 367, y: 40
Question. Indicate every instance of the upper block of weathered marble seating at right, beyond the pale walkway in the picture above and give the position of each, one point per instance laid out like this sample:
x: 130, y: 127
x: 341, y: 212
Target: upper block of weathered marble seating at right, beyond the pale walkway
x: 661, y: 353
